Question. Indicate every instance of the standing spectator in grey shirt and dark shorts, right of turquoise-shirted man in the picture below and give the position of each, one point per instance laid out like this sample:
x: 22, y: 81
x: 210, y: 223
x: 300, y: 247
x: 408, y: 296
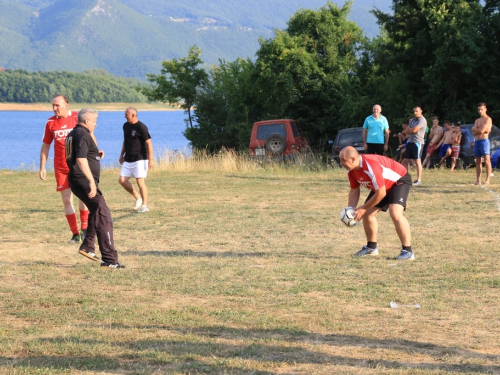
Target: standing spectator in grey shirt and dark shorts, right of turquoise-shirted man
x: 414, y: 147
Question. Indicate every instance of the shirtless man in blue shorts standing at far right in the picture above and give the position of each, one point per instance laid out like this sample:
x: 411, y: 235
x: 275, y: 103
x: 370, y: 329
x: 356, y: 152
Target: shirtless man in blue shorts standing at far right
x: 481, y: 131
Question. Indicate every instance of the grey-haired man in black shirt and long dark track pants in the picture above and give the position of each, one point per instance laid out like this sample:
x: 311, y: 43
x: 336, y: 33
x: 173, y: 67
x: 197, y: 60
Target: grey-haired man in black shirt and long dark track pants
x: 83, y: 159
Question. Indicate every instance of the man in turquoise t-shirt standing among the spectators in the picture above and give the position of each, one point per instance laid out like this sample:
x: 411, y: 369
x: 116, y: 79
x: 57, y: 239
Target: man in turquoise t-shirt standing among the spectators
x: 376, y: 132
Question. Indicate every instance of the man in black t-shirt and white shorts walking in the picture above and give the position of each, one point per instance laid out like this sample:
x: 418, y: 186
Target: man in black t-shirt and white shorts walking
x: 136, y: 158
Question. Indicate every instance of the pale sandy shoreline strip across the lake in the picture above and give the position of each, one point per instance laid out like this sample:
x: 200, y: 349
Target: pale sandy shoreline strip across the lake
x: 47, y: 107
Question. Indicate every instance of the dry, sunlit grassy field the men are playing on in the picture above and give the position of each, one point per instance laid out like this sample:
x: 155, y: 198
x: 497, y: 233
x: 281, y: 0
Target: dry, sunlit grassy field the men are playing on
x: 242, y: 268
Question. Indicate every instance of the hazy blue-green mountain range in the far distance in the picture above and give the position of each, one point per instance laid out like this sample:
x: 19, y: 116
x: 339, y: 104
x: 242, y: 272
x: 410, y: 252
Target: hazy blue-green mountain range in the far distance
x: 130, y: 38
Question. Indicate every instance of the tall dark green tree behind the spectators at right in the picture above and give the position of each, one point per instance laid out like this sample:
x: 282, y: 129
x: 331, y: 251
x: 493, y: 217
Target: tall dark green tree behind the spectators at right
x: 431, y: 55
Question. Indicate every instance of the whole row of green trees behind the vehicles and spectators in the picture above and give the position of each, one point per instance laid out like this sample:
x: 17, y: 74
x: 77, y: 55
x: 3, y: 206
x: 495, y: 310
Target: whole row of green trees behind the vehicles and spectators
x: 322, y: 71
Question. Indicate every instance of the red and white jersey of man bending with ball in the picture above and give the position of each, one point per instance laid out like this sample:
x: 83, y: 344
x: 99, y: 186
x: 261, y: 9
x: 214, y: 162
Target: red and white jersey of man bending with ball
x: 376, y: 171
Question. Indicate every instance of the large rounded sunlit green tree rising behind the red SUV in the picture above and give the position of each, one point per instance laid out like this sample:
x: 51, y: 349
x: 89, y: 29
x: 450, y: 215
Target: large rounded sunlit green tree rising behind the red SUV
x: 306, y: 70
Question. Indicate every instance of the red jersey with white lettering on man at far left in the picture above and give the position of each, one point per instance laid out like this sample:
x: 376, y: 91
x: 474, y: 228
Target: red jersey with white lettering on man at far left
x: 56, y: 130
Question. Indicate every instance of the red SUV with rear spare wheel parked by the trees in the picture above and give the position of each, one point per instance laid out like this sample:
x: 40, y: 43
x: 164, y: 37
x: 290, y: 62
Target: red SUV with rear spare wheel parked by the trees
x: 277, y: 138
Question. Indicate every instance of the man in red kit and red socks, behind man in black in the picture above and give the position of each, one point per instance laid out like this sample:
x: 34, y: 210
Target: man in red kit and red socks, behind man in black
x: 56, y: 129
